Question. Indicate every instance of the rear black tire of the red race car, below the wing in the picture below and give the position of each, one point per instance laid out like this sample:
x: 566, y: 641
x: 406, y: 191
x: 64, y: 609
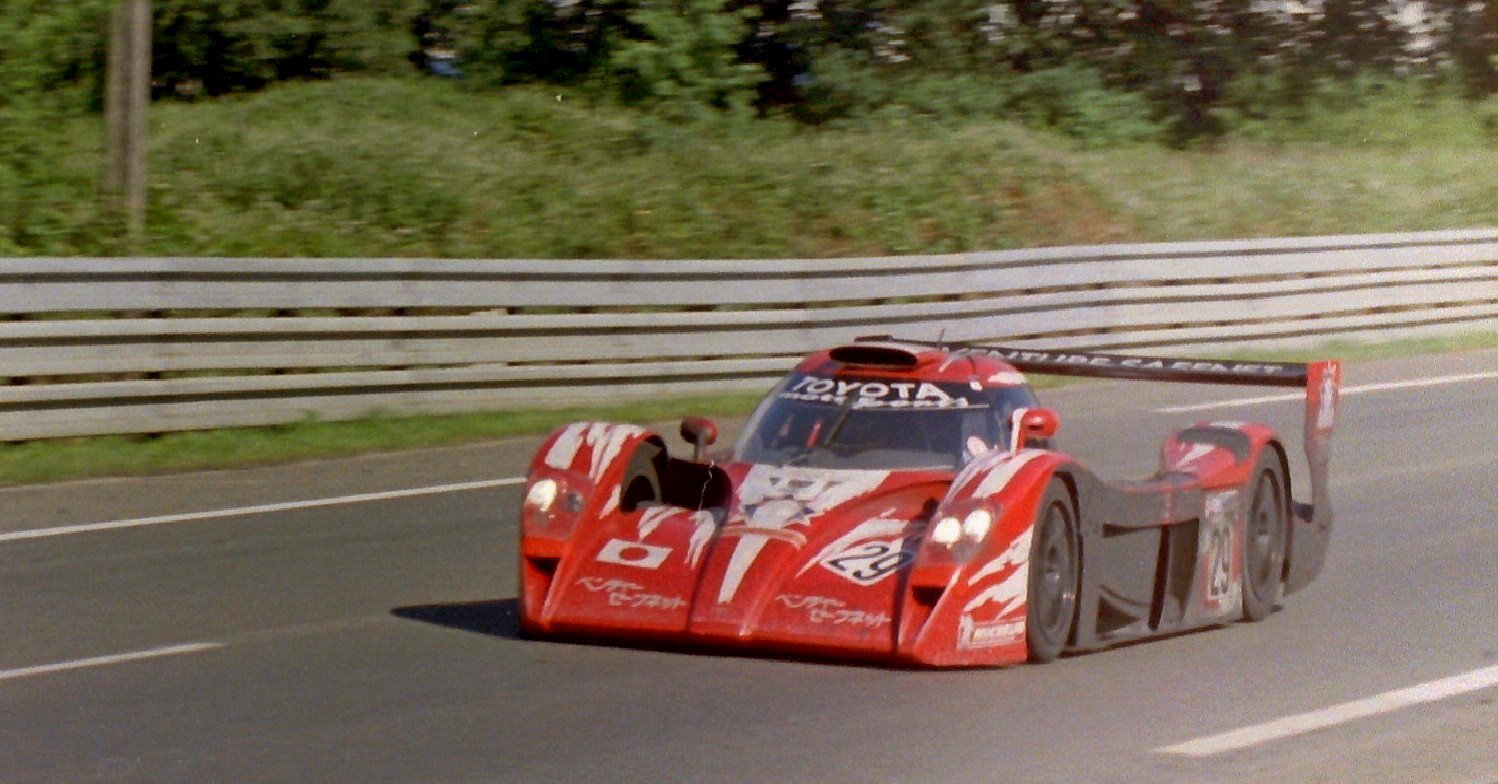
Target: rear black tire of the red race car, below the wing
x: 1267, y: 533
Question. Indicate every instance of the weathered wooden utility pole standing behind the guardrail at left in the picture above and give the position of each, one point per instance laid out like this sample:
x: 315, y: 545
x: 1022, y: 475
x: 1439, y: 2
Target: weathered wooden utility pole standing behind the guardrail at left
x: 128, y: 97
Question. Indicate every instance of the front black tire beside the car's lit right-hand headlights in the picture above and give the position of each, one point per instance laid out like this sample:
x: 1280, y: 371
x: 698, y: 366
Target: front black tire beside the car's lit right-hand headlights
x: 1055, y: 572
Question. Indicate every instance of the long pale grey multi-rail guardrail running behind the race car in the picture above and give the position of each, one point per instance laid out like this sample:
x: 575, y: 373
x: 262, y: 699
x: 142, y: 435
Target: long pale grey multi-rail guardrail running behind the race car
x: 142, y: 346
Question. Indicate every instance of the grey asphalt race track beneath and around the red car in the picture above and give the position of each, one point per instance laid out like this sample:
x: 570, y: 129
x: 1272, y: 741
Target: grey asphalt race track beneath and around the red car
x: 375, y: 641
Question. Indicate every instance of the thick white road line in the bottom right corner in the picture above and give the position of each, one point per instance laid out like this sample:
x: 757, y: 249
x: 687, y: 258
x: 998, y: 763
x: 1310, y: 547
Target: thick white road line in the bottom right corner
x: 1338, y: 714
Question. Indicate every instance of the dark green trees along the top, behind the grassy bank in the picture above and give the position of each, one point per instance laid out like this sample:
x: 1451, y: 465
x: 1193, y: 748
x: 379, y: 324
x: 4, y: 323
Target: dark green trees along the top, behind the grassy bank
x: 1099, y: 71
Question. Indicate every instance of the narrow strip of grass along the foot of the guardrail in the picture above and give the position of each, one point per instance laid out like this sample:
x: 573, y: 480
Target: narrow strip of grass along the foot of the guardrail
x: 124, y: 456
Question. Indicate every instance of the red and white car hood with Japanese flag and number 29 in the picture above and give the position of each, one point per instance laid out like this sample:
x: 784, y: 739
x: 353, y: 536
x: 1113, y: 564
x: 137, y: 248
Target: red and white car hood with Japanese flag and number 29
x: 801, y: 558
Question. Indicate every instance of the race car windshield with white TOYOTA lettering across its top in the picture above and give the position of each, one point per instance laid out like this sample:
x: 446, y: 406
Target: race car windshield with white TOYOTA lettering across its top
x: 877, y: 423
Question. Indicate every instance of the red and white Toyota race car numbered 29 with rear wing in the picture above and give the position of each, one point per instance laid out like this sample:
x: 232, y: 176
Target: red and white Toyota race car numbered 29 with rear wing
x: 900, y: 501
